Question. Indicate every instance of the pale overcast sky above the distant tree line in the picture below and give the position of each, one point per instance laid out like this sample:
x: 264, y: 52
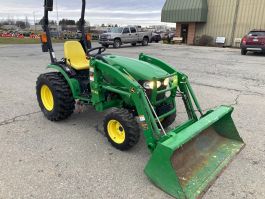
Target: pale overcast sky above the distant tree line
x: 122, y: 12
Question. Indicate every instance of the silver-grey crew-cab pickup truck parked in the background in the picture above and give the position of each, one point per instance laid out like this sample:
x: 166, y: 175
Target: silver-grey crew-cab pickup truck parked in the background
x: 118, y: 36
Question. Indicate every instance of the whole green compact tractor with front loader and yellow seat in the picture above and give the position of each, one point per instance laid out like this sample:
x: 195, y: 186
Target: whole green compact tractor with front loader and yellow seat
x: 141, y: 94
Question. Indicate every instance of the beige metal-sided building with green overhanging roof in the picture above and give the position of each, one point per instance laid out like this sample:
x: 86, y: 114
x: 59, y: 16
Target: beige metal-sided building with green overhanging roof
x: 231, y: 19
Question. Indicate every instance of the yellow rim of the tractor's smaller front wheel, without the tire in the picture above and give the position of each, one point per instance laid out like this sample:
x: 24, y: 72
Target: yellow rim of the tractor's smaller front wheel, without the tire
x: 116, y: 131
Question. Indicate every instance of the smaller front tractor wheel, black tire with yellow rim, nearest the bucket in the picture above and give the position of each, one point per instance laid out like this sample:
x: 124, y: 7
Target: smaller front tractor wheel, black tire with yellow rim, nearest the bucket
x: 121, y: 129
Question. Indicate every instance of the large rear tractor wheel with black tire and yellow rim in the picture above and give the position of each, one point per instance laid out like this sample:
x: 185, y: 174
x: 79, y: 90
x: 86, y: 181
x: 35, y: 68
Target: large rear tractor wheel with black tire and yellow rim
x: 61, y: 102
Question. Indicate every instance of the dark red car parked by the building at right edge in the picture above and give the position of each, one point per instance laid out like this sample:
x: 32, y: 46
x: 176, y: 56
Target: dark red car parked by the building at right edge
x: 254, y: 41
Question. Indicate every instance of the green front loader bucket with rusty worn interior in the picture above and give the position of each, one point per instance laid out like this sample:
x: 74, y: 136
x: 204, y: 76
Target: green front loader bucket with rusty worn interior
x: 187, y: 163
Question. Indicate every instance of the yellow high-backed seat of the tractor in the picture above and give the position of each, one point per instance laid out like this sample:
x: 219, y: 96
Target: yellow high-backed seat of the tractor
x: 75, y: 55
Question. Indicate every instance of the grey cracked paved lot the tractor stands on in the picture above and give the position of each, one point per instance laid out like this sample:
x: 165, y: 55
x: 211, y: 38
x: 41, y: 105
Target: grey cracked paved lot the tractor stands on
x: 72, y: 159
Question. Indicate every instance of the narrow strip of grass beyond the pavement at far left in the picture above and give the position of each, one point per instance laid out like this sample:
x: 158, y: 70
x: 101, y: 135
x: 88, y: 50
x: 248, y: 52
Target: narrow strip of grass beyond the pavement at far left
x: 25, y: 41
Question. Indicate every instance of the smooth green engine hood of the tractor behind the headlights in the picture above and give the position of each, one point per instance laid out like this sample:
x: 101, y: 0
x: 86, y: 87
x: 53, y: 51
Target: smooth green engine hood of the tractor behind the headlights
x: 140, y: 70
